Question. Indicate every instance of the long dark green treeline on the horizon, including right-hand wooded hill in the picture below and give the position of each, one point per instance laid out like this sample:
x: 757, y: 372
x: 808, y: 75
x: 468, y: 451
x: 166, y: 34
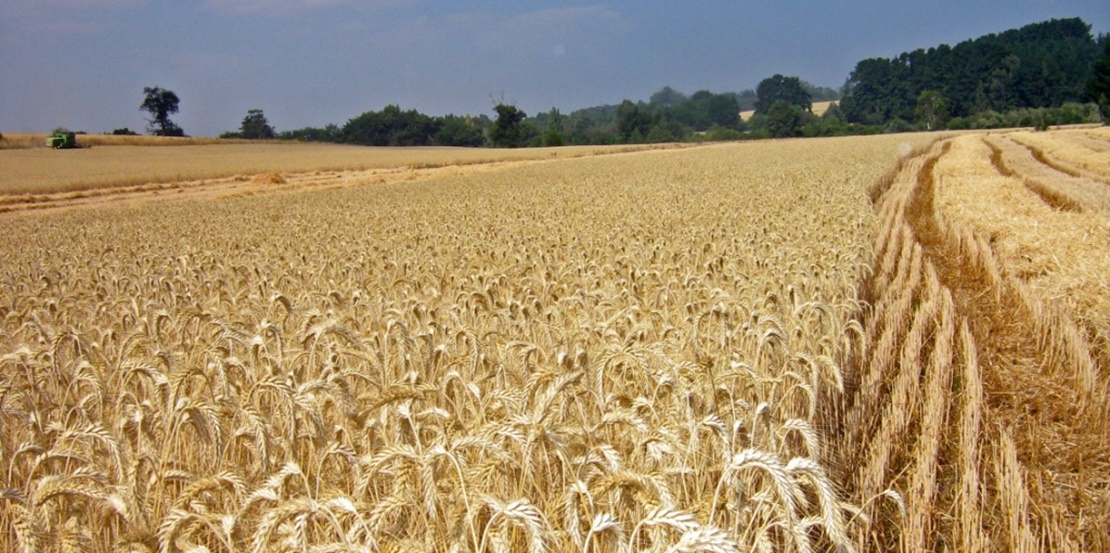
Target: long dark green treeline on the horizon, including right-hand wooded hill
x: 1031, y: 77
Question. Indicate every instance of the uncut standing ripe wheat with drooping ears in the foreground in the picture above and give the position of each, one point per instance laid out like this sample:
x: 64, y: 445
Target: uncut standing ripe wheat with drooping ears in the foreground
x: 612, y: 354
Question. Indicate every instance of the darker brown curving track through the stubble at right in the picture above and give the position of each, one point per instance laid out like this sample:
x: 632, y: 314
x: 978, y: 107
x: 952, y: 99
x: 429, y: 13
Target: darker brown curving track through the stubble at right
x: 1061, y: 440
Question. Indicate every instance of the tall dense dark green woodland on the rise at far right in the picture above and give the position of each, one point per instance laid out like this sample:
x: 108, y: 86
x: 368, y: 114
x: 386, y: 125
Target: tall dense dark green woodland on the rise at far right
x: 1040, y: 66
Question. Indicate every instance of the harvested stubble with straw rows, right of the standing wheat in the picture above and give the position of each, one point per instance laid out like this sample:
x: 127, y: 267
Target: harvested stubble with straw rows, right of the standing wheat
x: 984, y: 401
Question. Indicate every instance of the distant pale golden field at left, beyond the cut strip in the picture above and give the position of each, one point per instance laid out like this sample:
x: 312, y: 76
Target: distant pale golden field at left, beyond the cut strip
x: 42, y: 170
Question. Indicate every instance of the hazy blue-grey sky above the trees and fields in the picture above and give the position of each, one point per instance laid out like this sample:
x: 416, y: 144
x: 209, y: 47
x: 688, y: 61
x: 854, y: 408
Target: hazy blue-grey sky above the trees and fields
x: 84, y: 64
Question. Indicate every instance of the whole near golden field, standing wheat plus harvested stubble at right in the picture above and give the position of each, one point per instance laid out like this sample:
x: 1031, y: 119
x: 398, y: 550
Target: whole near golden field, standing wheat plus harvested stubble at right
x: 831, y: 345
